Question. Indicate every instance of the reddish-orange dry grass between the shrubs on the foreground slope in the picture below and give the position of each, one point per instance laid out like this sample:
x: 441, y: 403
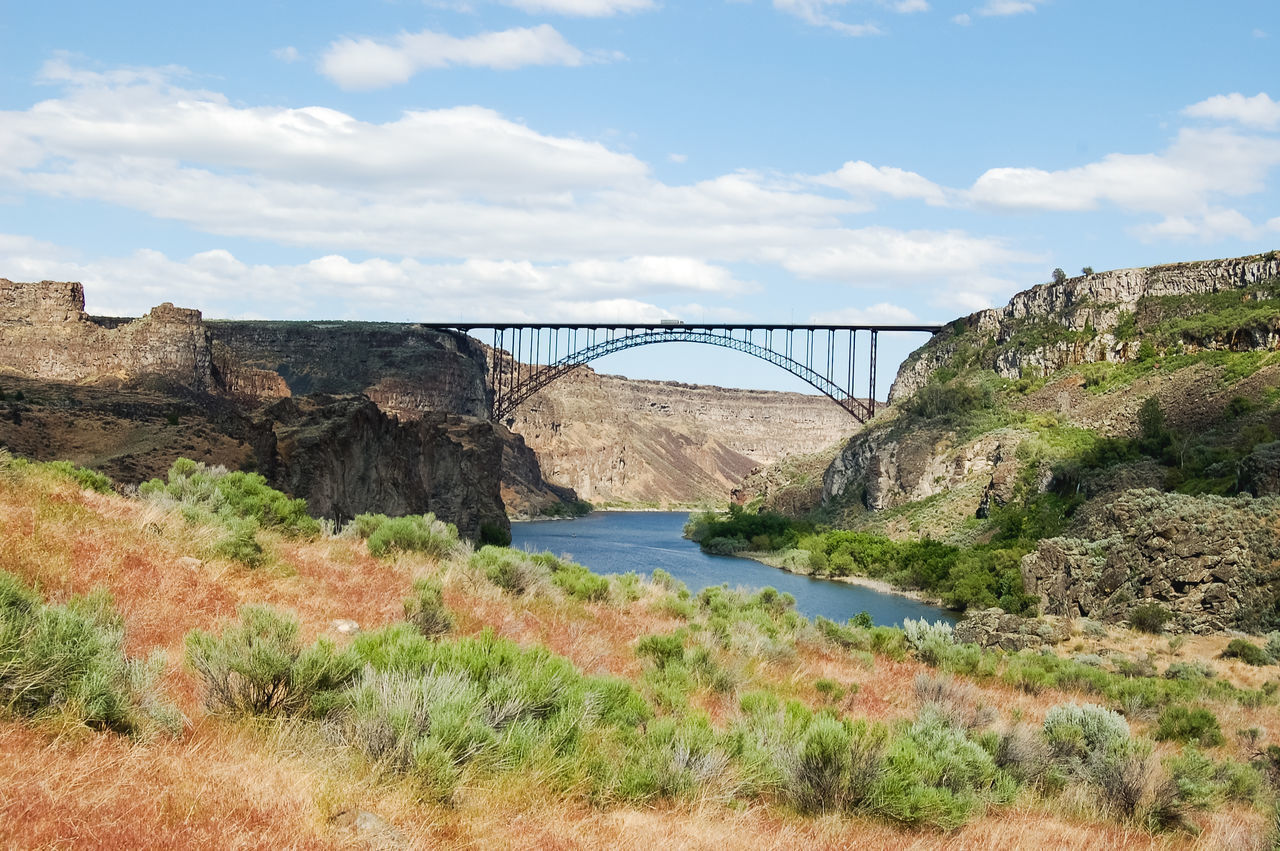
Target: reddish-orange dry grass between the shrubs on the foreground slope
x: 225, y: 785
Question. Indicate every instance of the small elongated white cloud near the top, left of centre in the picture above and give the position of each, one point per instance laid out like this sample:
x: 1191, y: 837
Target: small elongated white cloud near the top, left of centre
x: 368, y: 63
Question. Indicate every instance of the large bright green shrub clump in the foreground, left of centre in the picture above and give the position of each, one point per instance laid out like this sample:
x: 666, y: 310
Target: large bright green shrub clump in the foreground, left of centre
x: 432, y: 708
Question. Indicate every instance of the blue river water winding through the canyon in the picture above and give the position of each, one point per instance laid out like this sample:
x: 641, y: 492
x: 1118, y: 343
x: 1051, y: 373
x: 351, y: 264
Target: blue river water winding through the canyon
x: 643, y: 542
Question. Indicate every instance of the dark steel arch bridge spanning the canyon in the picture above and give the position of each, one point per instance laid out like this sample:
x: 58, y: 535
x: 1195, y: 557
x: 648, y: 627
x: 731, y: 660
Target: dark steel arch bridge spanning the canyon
x: 528, y: 356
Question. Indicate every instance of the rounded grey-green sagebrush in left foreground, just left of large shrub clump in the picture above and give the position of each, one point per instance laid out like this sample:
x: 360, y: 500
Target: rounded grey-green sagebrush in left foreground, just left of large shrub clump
x: 258, y: 667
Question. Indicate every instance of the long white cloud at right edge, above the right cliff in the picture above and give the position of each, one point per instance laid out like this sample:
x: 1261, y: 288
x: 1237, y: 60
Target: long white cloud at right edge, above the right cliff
x: 1197, y: 167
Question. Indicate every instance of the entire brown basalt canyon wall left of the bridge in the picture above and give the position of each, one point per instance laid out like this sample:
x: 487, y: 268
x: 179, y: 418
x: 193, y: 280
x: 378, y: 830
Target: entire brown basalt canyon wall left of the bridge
x: 131, y: 396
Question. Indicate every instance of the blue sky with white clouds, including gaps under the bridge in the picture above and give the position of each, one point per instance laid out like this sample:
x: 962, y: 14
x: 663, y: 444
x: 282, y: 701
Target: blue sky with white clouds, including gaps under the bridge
x: 628, y: 161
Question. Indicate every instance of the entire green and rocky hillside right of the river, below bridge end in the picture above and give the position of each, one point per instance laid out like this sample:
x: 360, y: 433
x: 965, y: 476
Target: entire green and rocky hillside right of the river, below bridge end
x: 1100, y: 447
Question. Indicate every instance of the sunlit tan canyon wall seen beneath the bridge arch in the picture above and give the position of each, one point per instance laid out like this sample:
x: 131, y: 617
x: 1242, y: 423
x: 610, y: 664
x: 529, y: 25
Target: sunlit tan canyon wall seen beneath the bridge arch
x: 620, y: 441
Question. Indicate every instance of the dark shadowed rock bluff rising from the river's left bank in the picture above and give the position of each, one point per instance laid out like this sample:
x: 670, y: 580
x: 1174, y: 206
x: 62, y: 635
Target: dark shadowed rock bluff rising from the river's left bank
x: 348, y: 457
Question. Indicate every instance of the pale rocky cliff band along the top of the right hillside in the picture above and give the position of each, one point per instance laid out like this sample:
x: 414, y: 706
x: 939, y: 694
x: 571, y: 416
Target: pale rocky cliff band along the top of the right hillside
x: 1057, y: 326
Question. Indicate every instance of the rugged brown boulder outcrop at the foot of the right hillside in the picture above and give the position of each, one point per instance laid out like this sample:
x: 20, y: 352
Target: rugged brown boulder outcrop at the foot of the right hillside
x: 1212, y: 561
